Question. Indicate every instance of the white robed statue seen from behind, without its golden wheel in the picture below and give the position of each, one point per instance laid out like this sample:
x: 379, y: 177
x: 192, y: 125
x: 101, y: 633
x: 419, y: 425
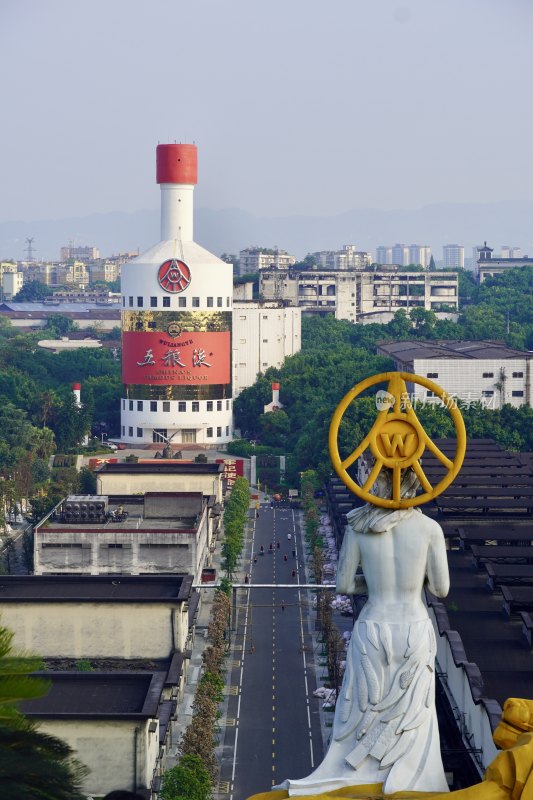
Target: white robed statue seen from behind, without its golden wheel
x: 385, y: 727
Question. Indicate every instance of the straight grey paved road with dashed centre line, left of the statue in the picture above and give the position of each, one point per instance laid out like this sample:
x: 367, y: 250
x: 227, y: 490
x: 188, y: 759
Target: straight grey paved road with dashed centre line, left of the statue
x: 276, y: 729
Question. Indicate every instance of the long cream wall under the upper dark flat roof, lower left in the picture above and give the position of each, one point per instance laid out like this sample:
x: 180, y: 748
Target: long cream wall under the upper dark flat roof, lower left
x: 97, y: 630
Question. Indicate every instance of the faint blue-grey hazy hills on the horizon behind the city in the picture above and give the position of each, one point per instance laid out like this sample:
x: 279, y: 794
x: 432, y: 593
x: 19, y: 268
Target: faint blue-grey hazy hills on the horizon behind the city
x: 231, y: 230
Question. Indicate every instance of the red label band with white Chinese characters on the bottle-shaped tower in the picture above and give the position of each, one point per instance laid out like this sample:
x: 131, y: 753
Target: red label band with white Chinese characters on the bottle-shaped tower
x: 150, y: 357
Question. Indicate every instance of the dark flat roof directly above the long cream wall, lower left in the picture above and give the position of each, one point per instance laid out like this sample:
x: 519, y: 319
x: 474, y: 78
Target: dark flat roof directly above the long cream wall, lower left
x: 95, y: 588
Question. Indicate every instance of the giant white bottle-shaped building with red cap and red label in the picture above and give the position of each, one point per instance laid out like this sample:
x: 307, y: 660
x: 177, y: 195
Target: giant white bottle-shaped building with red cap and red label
x: 176, y: 325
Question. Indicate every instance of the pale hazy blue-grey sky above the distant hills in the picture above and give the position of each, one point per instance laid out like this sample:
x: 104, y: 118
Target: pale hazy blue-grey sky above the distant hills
x: 297, y: 106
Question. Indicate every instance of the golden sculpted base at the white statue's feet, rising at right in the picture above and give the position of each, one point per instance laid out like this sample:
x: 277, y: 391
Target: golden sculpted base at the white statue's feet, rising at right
x: 509, y: 777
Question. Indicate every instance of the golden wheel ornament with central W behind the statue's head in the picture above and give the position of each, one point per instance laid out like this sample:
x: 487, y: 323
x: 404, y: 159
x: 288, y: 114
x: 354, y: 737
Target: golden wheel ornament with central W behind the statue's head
x: 397, y: 440
